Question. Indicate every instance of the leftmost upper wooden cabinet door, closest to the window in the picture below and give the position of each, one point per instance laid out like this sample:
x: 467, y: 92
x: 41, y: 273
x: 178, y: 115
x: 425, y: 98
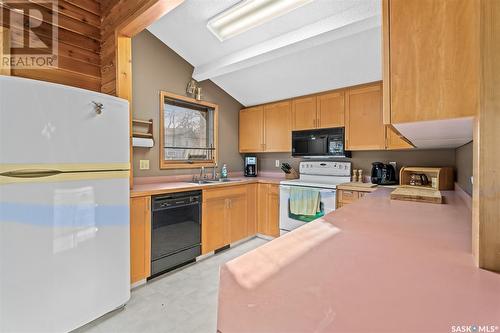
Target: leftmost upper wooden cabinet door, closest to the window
x: 251, y: 129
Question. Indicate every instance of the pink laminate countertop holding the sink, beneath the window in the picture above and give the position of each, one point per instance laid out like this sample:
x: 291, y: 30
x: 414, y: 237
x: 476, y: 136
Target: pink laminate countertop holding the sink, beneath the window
x: 161, y: 187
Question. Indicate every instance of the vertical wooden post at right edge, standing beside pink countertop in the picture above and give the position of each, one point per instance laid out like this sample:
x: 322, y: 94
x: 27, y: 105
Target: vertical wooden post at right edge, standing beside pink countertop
x: 486, y: 187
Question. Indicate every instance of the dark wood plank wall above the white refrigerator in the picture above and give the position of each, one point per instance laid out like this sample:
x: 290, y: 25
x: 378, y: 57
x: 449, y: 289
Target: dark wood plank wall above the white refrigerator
x: 79, y: 29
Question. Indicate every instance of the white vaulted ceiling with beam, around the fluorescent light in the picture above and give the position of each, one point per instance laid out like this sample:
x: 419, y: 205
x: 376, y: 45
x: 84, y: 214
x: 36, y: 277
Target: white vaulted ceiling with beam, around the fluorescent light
x: 323, y: 45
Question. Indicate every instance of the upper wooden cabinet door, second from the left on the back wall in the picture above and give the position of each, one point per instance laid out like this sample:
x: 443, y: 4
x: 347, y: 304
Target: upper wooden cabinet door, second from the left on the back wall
x: 277, y: 127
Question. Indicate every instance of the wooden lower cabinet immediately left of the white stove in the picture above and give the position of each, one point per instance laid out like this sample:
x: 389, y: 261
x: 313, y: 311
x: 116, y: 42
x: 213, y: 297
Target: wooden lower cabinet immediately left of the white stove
x: 268, y: 210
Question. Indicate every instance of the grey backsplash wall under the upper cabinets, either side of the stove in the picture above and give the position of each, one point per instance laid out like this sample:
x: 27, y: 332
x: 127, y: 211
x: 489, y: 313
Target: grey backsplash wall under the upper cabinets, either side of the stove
x: 364, y: 159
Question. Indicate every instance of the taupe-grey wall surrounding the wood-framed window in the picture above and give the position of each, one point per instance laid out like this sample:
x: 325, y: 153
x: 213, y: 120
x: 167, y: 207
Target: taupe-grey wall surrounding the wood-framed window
x: 157, y: 67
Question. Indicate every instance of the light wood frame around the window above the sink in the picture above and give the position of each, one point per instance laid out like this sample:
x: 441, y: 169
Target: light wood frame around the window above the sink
x: 182, y: 164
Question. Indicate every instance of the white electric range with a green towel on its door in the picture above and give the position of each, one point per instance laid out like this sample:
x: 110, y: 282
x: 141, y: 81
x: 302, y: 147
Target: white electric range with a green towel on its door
x: 323, y: 176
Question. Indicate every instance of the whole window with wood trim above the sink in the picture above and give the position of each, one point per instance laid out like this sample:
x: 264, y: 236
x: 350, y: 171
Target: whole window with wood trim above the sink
x: 188, y: 132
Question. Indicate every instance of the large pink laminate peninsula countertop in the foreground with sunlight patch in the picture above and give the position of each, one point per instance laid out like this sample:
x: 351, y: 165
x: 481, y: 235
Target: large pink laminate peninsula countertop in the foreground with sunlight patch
x: 376, y: 265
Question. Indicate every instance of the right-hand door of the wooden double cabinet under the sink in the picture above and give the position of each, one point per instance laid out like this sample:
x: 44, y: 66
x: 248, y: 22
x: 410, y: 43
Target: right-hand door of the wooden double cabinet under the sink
x: 238, y: 217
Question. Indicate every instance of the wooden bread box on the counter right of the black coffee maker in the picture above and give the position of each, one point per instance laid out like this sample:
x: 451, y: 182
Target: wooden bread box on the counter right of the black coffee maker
x: 443, y: 175
